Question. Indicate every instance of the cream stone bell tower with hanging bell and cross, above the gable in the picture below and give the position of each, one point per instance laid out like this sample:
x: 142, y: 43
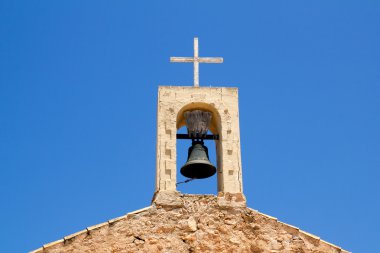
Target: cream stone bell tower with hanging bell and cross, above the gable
x: 222, y: 104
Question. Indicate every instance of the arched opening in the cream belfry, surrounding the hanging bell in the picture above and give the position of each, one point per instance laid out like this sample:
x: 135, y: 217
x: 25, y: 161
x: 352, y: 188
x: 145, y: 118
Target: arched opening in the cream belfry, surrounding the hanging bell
x: 199, y: 186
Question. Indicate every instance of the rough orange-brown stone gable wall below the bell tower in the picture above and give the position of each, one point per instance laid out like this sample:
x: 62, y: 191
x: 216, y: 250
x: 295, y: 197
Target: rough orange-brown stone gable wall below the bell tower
x: 192, y: 223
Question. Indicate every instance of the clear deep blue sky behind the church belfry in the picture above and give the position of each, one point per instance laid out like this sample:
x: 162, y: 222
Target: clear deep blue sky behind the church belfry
x: 78, y: 92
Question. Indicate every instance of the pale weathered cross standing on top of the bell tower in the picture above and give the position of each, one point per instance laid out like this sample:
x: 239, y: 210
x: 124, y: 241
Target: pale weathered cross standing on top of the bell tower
x: 196, y: 59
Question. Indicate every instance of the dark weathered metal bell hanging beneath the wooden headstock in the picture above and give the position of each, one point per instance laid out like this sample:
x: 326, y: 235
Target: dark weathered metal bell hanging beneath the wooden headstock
x: 198, y: 165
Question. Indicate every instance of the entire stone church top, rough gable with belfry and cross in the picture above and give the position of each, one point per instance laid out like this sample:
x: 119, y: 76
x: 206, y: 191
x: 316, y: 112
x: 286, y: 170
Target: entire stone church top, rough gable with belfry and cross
x: 176, y: 222
